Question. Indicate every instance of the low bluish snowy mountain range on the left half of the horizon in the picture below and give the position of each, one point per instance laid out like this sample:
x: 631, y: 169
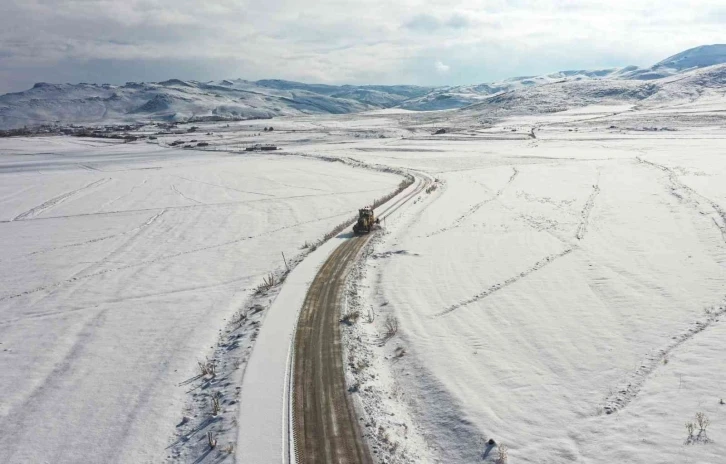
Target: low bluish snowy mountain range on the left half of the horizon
x: 177, y: 100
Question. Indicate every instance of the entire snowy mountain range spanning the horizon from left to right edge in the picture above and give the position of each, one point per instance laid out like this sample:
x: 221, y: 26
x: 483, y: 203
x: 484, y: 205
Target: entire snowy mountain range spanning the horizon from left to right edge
x: 687, y: 75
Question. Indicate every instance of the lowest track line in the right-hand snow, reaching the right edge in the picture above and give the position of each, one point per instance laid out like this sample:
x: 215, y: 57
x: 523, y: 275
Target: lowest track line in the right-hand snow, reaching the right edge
x: 629, y: 389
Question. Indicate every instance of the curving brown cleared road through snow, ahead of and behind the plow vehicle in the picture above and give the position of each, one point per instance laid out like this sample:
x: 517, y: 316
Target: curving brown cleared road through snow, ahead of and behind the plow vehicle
x: 324, y: 417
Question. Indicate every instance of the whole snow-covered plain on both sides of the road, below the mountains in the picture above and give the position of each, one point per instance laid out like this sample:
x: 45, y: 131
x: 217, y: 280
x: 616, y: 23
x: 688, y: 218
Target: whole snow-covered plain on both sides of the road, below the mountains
x: 564, y: 295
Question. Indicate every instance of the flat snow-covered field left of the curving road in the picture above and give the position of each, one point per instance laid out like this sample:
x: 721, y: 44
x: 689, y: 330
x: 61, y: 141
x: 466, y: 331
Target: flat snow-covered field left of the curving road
x: 120, y: 265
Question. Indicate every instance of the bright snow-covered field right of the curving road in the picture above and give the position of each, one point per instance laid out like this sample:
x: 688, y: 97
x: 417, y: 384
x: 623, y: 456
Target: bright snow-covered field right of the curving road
x: 565, y: 296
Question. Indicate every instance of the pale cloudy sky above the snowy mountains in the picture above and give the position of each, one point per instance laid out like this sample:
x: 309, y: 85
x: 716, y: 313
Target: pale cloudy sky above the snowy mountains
x: 426, y: 42
